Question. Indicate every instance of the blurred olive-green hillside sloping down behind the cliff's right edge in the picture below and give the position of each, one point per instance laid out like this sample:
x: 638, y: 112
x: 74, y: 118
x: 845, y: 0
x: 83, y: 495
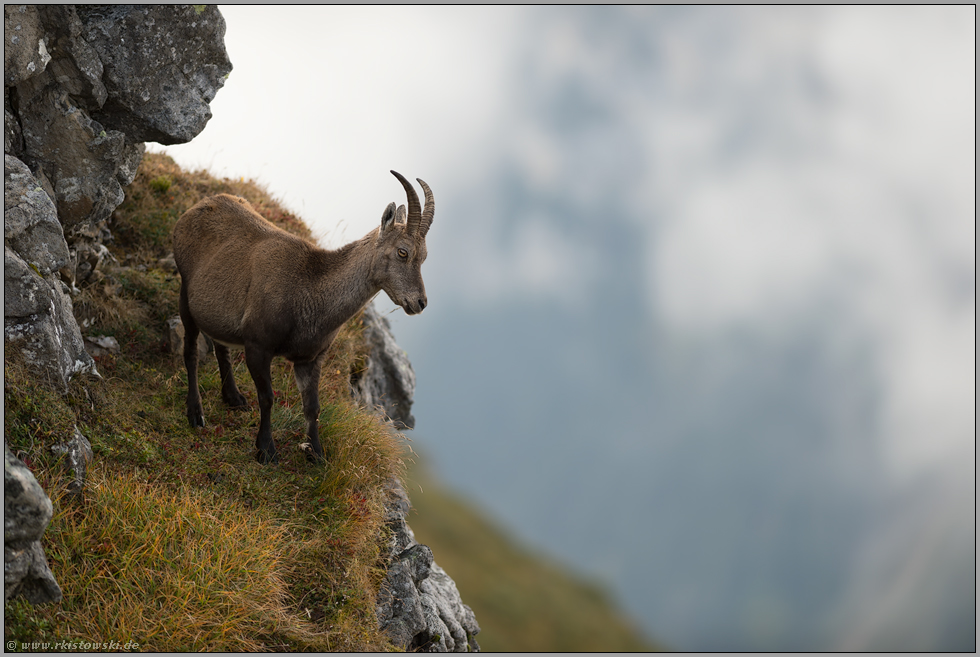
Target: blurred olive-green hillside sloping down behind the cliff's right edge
x: 524, y: 602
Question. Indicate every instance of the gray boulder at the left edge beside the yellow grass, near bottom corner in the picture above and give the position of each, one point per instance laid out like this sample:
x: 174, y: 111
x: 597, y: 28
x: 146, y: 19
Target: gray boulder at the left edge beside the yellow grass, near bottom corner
x: 26, y: 514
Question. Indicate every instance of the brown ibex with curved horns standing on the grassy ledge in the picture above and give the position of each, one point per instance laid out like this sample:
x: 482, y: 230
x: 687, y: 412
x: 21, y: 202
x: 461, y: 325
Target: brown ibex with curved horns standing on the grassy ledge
x: 246, y: 283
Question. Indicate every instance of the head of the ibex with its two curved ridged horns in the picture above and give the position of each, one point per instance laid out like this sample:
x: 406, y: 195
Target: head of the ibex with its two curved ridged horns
x: 401, y: 249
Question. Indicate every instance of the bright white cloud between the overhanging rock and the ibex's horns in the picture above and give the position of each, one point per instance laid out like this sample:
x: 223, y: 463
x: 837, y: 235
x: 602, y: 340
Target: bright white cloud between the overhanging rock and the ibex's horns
x: 323, y: 101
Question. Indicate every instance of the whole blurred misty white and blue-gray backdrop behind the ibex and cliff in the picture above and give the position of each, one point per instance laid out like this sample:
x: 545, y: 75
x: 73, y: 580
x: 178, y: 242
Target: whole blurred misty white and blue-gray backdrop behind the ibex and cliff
x: 702, y: 288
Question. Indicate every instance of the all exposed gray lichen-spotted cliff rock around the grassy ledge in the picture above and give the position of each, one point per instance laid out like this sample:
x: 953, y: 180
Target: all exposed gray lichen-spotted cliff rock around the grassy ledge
x: 84, y: 87
